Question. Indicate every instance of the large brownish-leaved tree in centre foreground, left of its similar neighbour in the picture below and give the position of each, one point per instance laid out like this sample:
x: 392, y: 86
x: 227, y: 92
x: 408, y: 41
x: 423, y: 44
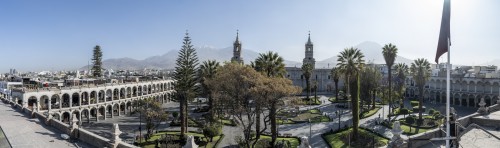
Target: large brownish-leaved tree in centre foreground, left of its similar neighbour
x: 232, y: 85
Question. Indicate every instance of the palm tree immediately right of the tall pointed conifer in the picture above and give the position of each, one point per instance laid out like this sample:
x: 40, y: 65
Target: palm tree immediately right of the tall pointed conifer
x: 208, y: 70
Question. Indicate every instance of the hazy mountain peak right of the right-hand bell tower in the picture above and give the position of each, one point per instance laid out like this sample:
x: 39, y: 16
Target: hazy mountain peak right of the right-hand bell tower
x: 372, y: 52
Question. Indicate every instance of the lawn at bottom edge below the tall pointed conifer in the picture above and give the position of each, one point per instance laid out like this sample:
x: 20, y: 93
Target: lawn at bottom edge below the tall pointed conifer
x: 151, y: 142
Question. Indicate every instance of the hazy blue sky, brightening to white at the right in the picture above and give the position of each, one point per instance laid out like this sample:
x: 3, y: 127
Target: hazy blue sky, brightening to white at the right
x: 60, y: 34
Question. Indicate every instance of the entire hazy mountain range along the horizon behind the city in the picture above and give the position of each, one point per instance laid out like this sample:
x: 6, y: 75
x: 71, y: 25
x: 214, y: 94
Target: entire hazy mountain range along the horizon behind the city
x: 371, y: 50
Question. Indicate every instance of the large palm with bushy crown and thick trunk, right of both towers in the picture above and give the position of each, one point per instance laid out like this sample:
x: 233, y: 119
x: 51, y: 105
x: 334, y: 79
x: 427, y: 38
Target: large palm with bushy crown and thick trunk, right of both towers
x: 350, y: 62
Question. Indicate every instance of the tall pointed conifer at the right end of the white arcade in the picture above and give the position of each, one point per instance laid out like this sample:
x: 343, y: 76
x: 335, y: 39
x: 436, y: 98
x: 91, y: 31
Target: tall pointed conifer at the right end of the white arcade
x: 185, y: 74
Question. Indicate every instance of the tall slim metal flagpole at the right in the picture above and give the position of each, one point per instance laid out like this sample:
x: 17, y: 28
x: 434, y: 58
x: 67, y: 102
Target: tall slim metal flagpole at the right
x: 448, y: 69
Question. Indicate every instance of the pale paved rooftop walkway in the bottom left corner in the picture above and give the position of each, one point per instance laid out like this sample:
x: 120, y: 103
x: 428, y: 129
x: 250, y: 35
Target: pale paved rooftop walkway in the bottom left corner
x: 24, y: 132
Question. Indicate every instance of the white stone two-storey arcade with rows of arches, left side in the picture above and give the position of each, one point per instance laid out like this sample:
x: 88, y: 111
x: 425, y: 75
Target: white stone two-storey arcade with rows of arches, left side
x: 93, y: 102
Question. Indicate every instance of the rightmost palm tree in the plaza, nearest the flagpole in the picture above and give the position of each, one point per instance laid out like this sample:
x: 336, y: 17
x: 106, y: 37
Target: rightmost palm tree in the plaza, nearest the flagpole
x: 421, y: 71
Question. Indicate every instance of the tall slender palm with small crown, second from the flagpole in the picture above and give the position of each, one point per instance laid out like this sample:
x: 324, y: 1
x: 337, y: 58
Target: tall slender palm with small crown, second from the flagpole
x: 390, y: 52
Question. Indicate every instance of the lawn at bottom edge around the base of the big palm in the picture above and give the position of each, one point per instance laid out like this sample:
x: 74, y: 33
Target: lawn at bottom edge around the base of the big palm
x: 365, y: 139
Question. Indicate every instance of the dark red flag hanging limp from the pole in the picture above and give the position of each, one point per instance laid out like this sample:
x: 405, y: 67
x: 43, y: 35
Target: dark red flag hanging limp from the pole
x: 444, y: 34
